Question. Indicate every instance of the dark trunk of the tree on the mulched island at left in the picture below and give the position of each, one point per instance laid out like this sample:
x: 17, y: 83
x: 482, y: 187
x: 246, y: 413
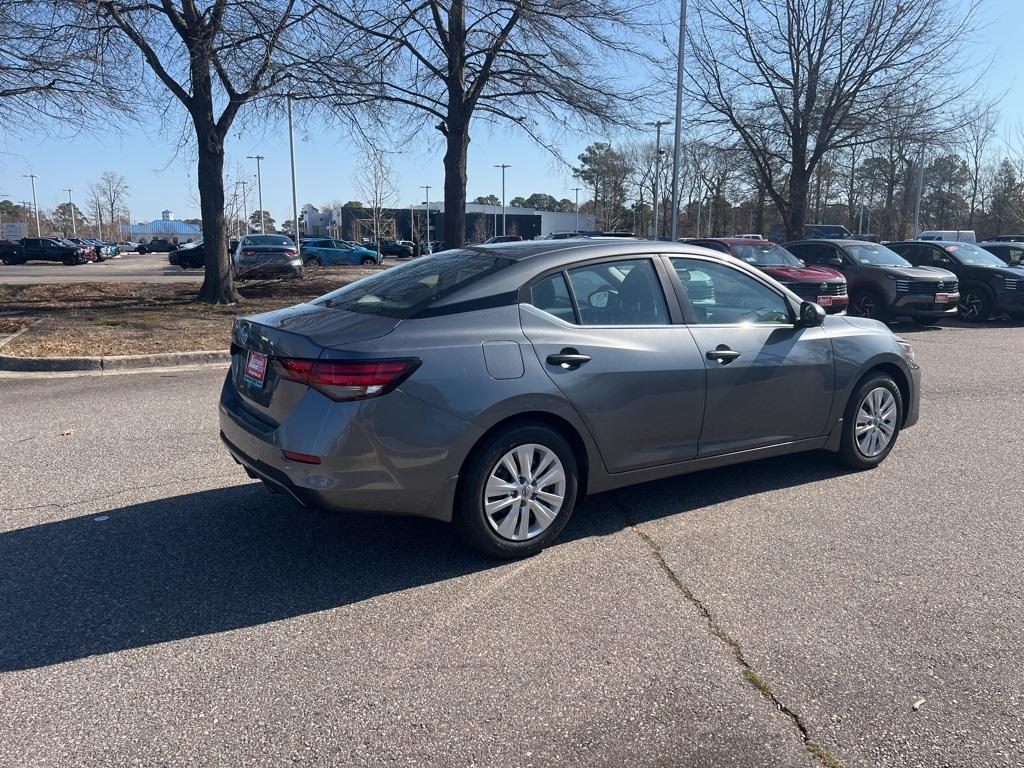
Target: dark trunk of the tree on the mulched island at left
x: 219, y: 284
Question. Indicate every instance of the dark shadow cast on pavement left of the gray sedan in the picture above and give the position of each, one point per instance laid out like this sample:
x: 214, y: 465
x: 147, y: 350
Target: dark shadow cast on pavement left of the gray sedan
x: 201, y: 564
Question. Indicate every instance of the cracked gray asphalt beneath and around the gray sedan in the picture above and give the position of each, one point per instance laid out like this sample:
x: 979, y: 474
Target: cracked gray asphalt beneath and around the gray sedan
x: 157, y: 608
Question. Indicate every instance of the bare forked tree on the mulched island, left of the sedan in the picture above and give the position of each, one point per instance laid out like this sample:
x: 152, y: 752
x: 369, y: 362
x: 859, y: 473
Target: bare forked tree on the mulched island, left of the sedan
x: 216, y: 59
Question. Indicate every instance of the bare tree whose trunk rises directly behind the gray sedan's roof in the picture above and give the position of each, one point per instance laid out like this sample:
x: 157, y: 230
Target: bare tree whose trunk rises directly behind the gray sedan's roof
x: 514, y: 62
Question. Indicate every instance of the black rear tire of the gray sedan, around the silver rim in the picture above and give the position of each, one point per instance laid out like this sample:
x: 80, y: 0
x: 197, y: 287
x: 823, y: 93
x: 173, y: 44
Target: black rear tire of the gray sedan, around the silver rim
x: 474, y: 524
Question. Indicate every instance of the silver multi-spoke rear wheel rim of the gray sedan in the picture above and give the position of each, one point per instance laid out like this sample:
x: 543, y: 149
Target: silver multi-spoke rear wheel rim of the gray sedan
x: 525, y: 492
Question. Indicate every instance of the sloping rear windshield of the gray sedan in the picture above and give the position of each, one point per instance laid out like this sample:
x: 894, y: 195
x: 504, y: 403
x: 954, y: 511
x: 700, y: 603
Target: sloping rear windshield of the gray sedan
x: 404, y: 291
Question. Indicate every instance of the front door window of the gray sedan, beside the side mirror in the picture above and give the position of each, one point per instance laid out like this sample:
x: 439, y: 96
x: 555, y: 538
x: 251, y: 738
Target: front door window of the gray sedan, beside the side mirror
x: 722, y: 295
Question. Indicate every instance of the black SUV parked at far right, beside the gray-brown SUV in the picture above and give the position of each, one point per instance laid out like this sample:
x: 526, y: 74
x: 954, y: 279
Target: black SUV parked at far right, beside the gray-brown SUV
x: 988, y: 283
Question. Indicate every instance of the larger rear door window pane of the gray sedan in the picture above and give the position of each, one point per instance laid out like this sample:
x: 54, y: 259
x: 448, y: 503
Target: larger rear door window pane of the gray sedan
x: 620, y: 293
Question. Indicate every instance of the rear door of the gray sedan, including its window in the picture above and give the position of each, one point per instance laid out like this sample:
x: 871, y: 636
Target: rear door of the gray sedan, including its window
x: 605, y: 335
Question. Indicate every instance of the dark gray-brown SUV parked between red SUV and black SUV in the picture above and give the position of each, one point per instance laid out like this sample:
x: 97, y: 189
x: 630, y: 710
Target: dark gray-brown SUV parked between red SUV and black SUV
x: 883, y: 284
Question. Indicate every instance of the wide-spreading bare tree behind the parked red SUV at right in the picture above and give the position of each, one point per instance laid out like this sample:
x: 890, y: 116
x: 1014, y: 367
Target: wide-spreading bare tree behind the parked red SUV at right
x: 812, y: 76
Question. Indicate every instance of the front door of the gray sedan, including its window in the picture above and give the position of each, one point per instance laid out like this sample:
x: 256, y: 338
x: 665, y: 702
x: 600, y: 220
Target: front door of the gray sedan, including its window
x: 769, y: 382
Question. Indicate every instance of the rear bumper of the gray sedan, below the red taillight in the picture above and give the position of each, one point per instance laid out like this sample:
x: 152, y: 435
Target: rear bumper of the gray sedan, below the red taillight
x: 394, y: 455
